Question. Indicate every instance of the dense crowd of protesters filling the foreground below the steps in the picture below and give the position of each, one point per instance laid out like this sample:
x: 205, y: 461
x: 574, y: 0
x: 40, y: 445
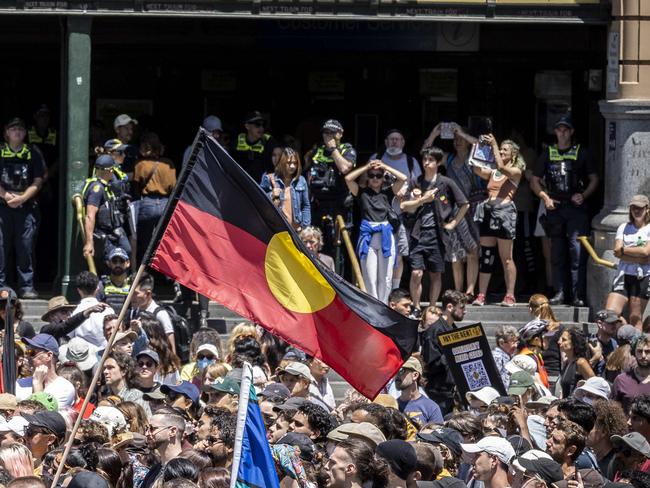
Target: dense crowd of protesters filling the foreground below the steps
x: 576, y: 413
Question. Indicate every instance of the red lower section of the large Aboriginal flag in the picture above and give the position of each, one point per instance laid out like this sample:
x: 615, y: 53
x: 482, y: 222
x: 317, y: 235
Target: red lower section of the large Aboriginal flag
x: 225, y: 263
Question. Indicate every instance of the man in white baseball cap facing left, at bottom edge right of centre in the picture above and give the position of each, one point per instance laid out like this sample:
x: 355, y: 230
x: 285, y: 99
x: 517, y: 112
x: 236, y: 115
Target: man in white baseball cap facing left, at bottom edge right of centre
x: 491, y: 457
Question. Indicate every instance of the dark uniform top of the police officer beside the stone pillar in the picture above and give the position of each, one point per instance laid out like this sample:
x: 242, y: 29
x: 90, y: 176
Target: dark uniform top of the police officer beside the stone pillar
x: 565, y: 178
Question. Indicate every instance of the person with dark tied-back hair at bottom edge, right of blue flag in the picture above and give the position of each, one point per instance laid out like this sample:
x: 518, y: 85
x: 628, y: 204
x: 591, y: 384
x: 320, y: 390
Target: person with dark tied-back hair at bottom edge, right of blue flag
x: 354, y: 464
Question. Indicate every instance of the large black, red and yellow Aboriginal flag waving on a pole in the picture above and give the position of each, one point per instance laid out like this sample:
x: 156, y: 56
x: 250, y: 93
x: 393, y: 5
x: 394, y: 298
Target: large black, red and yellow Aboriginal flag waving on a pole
x: 224, y: 239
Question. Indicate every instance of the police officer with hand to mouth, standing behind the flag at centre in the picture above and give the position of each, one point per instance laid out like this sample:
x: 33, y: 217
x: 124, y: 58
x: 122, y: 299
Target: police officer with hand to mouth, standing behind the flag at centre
x: 327, y: 164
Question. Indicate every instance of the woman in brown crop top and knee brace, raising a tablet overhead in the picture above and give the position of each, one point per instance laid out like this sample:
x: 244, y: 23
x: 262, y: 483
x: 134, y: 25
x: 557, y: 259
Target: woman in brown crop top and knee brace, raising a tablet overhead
x: 498, y: 216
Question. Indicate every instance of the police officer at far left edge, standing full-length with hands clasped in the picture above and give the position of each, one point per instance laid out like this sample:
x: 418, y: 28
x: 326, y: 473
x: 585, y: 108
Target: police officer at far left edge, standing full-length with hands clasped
x: 22, y: 170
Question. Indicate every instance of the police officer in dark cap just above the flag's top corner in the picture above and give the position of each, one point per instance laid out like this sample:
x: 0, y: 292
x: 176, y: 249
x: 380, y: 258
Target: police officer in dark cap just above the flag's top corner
x: 253, y: 149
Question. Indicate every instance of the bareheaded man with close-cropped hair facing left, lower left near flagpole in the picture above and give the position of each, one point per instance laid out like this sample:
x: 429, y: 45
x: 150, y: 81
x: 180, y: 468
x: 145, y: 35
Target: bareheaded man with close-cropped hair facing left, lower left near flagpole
x: 165, y: 435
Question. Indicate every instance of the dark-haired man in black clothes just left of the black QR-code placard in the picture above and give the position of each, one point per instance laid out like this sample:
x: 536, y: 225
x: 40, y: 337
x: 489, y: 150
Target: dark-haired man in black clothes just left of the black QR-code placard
x: 440, y: 384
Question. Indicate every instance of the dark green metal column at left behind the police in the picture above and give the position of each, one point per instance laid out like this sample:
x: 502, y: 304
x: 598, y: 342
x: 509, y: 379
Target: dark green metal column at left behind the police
x: 76, y: 54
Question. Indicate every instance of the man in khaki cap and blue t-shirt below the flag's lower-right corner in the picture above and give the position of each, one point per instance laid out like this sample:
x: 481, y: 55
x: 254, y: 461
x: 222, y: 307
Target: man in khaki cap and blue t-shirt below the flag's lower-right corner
x: 411, y: 401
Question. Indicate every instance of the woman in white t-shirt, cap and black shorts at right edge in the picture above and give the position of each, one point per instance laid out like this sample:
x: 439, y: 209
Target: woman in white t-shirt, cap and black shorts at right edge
x: 631, y: 286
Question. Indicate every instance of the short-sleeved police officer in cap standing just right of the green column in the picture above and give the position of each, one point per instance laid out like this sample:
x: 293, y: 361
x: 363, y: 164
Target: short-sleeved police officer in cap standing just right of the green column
x: 104, y: 221
